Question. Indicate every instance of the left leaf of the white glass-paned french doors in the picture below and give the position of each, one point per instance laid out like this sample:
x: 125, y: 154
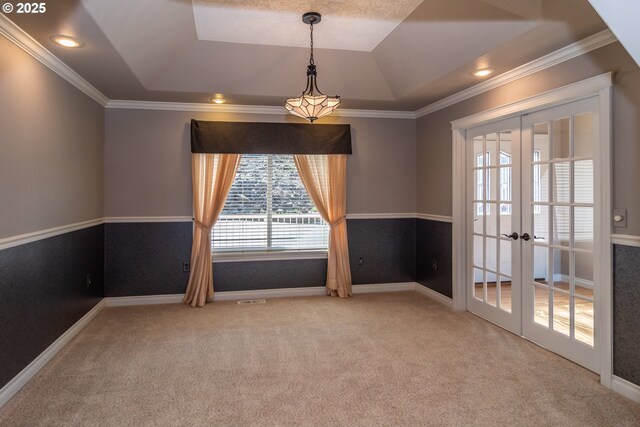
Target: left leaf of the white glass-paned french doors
x: 494, y: 221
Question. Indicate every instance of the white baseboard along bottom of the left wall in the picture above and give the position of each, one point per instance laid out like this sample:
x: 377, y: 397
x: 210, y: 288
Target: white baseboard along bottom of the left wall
x: 13, y: 386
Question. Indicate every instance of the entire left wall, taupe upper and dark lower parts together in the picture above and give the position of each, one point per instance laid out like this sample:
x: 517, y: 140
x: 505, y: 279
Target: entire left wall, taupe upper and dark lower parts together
x: 52, y: 174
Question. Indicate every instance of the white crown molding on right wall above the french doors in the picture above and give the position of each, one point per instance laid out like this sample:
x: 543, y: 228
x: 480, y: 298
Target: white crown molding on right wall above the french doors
x: 566, y: 53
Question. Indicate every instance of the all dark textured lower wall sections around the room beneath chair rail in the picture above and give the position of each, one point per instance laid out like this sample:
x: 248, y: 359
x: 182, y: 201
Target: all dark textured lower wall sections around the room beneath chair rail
x: 43, y: 285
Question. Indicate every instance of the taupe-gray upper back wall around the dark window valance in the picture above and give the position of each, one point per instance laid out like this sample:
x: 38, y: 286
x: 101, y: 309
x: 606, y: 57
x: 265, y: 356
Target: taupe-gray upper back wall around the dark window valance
x: 148, y: 169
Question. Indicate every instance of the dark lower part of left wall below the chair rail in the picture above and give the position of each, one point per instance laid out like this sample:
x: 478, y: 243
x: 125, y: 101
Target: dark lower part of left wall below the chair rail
x: 44, y: 291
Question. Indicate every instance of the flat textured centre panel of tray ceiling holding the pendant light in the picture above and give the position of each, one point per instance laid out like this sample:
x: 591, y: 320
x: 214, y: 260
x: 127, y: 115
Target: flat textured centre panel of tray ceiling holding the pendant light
x: 350, y: 25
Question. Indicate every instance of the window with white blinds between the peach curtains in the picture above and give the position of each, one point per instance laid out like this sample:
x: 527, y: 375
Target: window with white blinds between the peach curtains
x: 268, y: 209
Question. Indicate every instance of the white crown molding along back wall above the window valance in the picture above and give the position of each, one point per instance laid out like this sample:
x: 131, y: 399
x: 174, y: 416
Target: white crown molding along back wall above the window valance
x: 247, y: 109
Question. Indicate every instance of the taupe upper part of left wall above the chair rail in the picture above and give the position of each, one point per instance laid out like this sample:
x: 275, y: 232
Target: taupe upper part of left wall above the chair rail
x: 52, y: 145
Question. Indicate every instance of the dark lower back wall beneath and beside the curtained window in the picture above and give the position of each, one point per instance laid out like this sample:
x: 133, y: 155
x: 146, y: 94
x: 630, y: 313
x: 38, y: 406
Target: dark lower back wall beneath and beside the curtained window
x: 146, y: 259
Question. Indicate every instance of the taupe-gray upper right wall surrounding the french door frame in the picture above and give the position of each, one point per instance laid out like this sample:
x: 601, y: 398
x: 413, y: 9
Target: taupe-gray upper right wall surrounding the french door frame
x: 434, y: 130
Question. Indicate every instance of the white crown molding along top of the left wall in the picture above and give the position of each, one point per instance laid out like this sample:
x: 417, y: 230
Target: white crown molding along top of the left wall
x: 24, y: 41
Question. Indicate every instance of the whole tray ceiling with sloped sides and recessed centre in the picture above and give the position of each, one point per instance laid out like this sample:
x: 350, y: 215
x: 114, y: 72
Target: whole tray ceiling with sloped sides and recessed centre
x: 399, y: 55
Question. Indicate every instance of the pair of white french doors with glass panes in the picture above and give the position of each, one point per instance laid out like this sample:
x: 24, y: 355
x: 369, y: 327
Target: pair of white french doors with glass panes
x: 531, y: 221
